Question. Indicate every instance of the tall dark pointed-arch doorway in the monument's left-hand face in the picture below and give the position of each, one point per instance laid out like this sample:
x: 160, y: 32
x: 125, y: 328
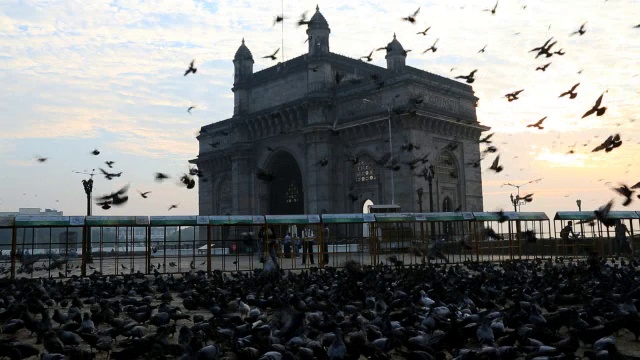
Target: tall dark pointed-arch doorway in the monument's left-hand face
x: 286, y: 194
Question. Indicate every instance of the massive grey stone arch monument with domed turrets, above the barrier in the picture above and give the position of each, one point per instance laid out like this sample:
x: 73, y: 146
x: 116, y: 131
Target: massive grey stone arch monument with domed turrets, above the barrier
x: 309, y: 114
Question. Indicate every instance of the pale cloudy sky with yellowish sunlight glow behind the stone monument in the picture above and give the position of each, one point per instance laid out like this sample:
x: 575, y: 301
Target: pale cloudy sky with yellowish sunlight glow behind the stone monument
x: 108, y: 75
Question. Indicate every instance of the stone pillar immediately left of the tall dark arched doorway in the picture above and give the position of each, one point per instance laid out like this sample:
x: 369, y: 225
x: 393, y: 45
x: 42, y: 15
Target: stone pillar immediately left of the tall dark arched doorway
x: 242, y: 176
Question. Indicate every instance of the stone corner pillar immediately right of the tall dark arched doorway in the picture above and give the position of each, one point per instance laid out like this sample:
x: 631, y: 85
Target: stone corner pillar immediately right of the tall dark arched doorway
x: 319, y: 189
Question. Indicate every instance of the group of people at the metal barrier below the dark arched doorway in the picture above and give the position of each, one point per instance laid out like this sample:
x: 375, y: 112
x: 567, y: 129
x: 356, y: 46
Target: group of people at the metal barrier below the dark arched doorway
x: 294, y: 245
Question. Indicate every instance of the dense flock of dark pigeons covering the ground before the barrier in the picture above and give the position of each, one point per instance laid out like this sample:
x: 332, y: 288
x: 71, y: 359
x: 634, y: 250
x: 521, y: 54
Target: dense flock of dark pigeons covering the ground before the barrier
x: 543, y: 309
